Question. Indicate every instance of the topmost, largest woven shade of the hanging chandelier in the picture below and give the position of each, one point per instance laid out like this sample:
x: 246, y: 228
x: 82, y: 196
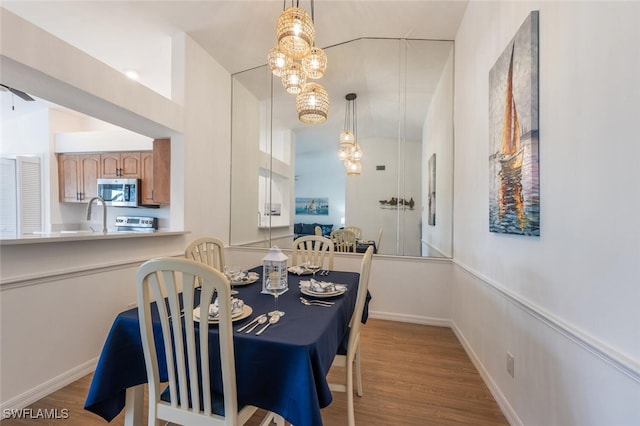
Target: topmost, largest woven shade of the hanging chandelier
x: 295, y: 32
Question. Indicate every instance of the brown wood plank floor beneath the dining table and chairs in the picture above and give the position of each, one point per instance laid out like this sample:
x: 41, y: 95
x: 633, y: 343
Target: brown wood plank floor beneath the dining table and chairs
x: 412, y: 375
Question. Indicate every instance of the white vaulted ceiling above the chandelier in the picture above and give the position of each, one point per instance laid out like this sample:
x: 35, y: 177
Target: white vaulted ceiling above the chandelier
x: 238, y: 34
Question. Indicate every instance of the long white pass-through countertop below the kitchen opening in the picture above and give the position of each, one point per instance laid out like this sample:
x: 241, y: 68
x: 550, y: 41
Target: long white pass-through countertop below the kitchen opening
x: 66, y: 236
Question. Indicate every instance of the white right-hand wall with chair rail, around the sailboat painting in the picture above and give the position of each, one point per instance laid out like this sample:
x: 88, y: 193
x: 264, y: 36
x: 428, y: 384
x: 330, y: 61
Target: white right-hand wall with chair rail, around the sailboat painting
x: 564, y: 304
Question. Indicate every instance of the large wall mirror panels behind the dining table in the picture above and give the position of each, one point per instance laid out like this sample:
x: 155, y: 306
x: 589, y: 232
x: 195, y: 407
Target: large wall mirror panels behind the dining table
x: 286, y: 175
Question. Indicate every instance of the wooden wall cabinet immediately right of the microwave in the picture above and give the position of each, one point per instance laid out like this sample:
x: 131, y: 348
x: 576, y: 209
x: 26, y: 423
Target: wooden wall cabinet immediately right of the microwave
x: 156, y: 175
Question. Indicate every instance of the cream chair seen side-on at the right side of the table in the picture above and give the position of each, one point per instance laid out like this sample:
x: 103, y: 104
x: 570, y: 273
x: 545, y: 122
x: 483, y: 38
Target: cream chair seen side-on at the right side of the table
x: 347, y: 358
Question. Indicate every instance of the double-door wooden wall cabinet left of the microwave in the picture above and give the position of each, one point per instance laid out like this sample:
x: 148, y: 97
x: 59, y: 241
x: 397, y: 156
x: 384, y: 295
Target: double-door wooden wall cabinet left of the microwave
x: 78, y: 177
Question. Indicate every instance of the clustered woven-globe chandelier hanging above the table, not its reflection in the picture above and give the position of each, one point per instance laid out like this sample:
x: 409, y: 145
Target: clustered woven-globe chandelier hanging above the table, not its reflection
x: 295, y: 59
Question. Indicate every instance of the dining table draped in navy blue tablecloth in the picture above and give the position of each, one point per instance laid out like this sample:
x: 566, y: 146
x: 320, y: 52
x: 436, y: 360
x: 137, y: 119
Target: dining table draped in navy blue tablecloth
x: 282, y: 370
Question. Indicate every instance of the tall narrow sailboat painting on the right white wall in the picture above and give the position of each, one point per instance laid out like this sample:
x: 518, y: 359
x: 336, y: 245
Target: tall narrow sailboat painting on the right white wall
x: 514, y: 187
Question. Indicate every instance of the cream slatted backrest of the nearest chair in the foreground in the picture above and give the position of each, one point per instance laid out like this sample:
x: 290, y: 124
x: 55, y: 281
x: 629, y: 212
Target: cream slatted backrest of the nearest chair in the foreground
x: 162, y: 279
